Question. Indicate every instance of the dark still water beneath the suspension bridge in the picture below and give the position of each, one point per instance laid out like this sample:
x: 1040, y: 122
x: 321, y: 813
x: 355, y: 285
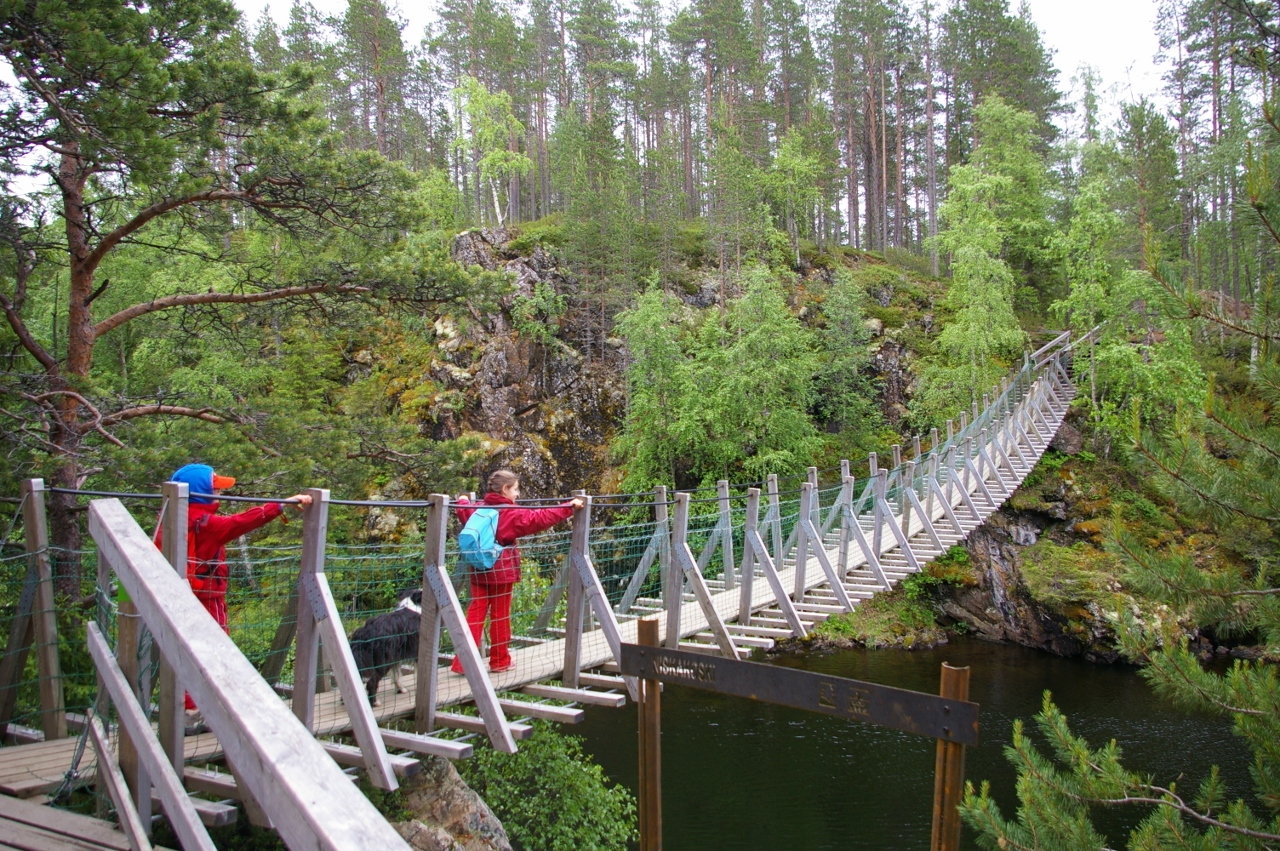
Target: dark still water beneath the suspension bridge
x: 746, y: 776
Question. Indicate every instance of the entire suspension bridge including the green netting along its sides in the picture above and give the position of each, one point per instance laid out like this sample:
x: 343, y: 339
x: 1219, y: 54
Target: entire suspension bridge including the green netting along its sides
x: 285, y: 716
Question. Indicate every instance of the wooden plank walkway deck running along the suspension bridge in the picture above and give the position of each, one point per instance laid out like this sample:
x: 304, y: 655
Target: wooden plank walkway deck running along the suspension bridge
x: 29, y: 771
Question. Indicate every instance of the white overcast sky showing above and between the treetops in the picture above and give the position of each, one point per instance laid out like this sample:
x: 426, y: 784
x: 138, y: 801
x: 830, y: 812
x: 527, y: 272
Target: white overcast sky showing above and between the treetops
x: 1116, y: 36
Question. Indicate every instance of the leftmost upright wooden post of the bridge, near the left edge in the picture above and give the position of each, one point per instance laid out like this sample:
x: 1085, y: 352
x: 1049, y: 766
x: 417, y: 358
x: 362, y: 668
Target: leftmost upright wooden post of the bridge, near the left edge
x: 53, y: 711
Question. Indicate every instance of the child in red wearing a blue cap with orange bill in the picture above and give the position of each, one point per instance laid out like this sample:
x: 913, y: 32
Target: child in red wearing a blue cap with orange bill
x: 209, y: 533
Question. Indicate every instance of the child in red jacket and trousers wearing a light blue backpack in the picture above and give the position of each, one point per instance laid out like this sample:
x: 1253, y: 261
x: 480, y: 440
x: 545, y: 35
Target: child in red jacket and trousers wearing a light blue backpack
x: 491, y: 591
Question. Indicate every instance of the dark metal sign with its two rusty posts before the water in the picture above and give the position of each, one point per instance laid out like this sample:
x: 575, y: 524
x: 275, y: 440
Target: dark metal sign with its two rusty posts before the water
x: 948, y: 717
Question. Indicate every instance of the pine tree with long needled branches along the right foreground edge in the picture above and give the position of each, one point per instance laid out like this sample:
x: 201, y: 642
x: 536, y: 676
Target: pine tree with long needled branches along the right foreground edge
x: 1219, y: 463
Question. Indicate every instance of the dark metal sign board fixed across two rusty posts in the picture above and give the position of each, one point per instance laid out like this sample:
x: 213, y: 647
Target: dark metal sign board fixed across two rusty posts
x: 913, y: 712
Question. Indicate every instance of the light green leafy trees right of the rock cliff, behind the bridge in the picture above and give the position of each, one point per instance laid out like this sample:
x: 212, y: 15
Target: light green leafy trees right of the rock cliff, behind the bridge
x: 712, y: 401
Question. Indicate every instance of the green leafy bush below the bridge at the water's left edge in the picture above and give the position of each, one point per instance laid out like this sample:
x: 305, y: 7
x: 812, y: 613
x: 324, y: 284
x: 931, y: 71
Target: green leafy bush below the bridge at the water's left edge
x: 551, y: 797
